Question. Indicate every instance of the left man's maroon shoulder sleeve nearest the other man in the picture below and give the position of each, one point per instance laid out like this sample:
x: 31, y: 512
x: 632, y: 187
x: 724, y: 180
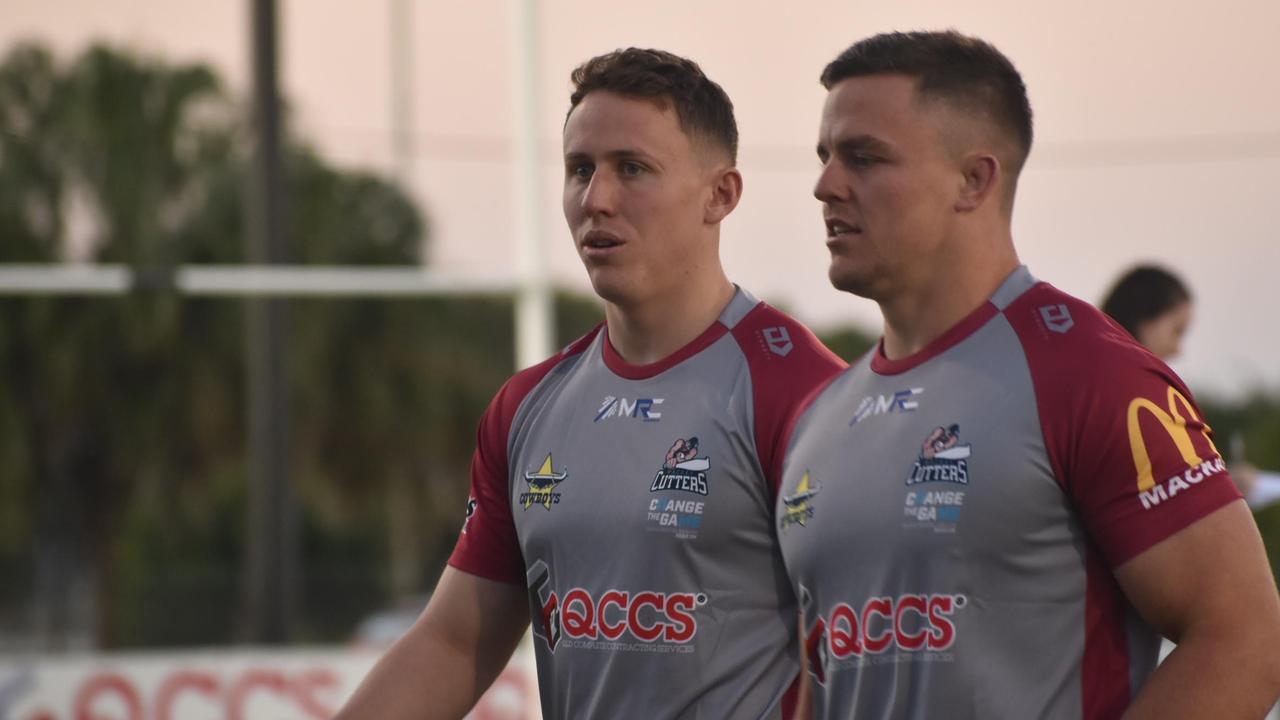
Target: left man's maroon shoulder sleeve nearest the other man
x: 788, y: 366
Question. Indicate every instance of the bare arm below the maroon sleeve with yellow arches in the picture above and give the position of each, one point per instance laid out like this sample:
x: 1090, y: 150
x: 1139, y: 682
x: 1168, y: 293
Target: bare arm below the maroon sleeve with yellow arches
x: 1210, y: 590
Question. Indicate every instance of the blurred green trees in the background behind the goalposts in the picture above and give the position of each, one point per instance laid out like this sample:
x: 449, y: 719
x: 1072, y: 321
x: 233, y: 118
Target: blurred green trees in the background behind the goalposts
x: 124, y: 420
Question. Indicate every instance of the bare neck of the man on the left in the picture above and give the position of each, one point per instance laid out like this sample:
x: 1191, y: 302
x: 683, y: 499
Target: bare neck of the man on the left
x: 650, y: 331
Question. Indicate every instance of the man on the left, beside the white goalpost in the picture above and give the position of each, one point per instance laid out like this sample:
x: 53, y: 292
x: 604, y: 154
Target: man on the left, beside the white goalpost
x: 623, y: 491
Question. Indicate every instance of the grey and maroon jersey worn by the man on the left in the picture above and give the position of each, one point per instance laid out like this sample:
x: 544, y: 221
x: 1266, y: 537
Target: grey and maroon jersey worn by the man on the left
x: 637, y: 505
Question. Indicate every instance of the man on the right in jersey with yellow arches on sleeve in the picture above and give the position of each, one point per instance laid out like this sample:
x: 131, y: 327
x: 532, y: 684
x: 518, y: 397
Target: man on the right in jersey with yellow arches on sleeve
x: 1000, y: 509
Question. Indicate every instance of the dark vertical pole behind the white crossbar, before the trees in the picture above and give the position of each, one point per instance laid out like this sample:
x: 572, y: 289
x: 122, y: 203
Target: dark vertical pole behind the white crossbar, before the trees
x: 268, y: 598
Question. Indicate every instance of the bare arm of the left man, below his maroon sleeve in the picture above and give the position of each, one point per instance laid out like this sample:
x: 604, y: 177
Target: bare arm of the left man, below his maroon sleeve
x: 451, y: 655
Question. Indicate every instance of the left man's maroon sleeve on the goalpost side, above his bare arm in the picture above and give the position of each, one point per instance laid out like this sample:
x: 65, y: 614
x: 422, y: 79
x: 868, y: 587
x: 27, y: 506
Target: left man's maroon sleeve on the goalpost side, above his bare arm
x: 488, y: 546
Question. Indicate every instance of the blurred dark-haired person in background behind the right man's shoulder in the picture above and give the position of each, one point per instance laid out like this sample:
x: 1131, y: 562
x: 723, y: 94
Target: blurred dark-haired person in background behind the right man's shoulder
x: 1155, y: 307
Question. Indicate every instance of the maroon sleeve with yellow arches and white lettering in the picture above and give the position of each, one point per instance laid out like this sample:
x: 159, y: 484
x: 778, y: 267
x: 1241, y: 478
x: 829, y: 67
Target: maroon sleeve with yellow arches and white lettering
x: 1126, y: 440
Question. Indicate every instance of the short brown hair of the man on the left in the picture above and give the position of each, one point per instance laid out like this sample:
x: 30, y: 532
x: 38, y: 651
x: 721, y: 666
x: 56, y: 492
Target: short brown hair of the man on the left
x: 702, y: 107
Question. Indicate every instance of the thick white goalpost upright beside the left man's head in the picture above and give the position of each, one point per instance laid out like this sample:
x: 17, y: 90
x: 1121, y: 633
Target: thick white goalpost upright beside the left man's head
x: 534, y: 322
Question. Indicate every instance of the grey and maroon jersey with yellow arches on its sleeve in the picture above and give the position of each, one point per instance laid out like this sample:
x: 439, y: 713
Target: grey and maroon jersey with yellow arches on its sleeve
x: 952, y: 521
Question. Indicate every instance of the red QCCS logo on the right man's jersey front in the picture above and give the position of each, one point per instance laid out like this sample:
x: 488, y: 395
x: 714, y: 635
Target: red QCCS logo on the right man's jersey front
x: 883, y: 625
